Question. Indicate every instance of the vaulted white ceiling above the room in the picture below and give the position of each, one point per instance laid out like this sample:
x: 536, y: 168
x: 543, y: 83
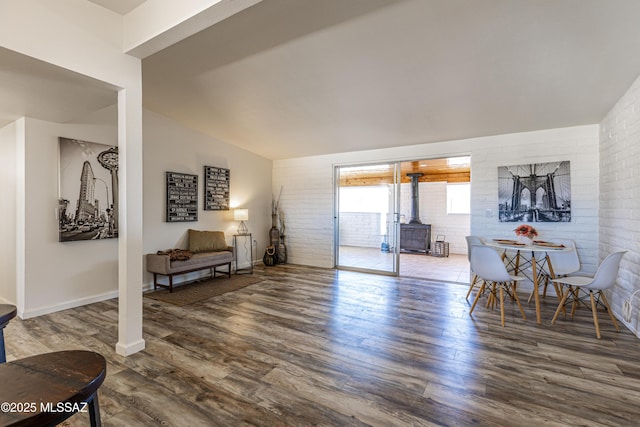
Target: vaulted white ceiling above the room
x: 289, y: 78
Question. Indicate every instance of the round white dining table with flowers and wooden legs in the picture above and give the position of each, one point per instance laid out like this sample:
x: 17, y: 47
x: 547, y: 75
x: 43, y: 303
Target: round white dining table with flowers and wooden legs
x: 520, y: 257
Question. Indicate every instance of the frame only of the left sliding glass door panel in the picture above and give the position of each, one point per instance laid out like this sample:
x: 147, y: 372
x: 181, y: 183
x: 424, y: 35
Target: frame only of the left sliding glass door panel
x: 394, y: 242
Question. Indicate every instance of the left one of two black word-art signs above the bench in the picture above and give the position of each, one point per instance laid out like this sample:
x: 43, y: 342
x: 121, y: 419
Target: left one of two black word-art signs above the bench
x: 182, y: 197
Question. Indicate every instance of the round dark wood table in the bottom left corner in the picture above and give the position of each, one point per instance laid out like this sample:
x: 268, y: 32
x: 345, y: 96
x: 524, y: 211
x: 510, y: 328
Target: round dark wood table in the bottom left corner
x: 49, y: 388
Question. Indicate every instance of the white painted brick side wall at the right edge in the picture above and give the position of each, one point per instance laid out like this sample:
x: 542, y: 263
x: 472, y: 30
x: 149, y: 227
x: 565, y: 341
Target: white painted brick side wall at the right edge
x: 620, y: 198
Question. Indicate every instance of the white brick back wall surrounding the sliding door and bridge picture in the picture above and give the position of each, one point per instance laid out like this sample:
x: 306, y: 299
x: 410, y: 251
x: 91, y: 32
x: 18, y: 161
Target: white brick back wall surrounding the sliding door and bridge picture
x: 308, y: 187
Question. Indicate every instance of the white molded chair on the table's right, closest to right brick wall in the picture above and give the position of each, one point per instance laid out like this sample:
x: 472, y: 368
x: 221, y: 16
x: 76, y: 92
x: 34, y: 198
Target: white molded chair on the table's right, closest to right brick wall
x: 604, y: 278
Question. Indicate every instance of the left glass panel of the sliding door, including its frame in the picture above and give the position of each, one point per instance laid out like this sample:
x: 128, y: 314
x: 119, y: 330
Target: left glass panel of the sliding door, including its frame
x: 366, y: 217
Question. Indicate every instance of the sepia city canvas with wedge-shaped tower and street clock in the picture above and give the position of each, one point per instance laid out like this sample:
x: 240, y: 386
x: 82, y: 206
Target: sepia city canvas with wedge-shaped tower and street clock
x: 88, y: 202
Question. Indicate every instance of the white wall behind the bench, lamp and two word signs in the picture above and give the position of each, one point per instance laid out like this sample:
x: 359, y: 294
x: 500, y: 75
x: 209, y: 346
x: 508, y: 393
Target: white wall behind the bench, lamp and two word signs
x: 169, y: 147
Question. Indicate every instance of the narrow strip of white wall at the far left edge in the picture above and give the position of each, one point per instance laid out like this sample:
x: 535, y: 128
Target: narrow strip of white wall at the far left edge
x: 8, y: 163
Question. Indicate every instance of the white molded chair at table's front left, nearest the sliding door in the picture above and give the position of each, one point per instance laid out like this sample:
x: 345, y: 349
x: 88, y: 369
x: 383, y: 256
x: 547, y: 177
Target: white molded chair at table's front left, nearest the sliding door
x: 488, y: 265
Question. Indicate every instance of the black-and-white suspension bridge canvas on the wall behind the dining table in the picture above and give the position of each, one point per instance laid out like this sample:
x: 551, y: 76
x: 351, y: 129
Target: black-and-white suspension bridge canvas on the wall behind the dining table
x: 538, y: 192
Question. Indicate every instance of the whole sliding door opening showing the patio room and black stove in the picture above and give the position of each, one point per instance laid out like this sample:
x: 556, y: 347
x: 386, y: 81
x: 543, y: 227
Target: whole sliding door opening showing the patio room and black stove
x: 396, y: 218
